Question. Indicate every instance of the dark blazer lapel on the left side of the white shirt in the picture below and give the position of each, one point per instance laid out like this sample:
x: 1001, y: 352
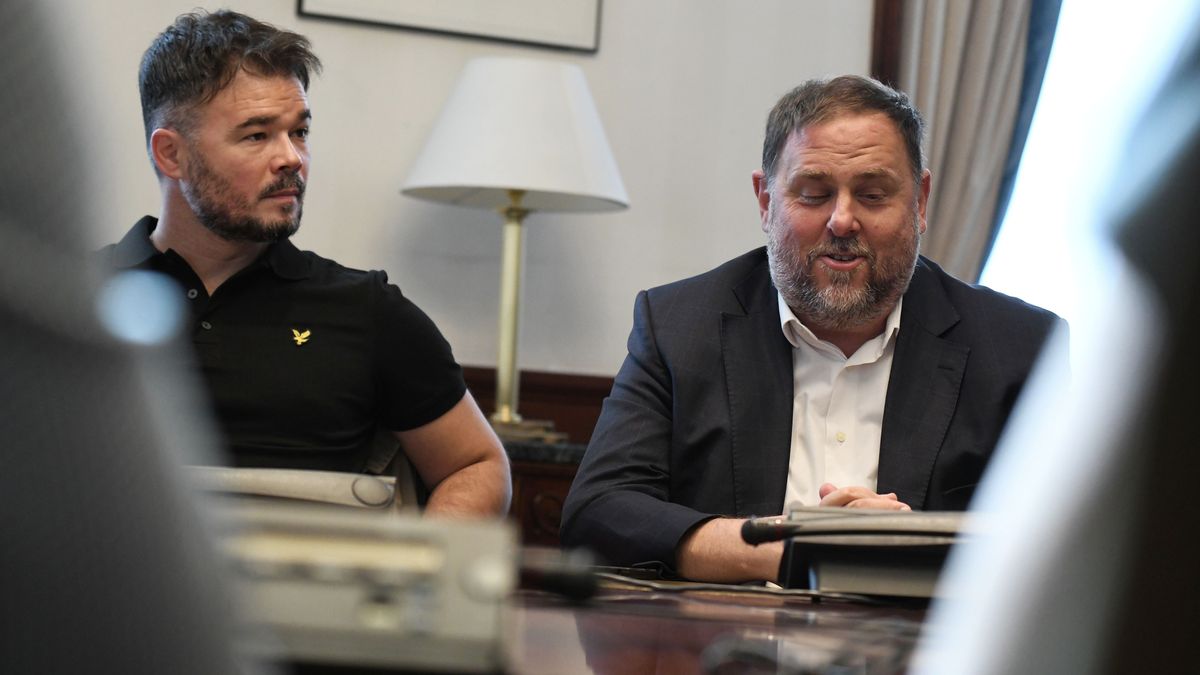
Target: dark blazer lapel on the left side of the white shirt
x: 759, y: 380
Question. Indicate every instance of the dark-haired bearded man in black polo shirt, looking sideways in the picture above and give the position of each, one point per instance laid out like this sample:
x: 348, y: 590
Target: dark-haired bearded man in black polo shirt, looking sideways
x: 305, y: 360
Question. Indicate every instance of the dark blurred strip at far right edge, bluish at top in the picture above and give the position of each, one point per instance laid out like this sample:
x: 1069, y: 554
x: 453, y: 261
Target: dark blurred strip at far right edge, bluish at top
x: 1157, y: 607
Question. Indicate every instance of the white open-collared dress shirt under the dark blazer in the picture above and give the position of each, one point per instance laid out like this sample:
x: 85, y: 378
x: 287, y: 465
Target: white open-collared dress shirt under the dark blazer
x: 837, y: 409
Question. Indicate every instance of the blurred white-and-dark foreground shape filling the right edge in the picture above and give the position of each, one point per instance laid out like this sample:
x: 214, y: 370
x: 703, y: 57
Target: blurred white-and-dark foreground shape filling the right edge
x: 1094, y: 568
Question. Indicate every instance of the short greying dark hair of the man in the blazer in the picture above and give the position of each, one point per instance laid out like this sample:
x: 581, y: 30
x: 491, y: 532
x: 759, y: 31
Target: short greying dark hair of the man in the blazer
x: 820, y: 100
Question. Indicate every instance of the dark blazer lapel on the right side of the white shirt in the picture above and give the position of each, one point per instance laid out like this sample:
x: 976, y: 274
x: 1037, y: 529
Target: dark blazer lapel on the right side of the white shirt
x: 923, y: 391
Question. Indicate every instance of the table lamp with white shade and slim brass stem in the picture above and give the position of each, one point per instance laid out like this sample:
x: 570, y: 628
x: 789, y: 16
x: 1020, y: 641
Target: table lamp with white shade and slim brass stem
x: 518, y: 135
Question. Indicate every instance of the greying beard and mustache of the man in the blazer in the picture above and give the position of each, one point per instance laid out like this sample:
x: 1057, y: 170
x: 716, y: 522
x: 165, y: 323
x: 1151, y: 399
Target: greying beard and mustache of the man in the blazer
x: 841, y: 306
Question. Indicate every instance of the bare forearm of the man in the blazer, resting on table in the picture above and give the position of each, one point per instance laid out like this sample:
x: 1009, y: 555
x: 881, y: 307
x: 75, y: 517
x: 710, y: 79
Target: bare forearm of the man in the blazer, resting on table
x: 715, y: 552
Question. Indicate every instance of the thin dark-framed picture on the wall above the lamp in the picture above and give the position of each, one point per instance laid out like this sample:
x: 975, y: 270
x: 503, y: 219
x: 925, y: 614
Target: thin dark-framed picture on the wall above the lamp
x: 562, y: 25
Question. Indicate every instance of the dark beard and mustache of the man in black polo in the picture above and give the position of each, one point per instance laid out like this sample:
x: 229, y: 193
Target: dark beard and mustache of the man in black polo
x: 227, y: 214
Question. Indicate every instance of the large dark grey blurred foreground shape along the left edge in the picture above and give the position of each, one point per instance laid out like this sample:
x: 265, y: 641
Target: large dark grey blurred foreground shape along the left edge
x: 105, y: 561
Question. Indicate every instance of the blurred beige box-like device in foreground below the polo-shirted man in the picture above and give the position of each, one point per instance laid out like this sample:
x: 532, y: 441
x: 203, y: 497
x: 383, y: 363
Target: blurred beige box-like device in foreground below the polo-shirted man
x: 328, y: 586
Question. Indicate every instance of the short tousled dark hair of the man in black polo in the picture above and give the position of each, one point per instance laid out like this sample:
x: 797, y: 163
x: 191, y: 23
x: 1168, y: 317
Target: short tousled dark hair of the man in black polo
x: 201, y: 53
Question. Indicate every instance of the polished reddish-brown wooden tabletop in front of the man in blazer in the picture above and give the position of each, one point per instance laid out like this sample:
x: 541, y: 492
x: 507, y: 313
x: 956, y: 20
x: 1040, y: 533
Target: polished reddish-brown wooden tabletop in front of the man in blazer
x: 693, y: 629
